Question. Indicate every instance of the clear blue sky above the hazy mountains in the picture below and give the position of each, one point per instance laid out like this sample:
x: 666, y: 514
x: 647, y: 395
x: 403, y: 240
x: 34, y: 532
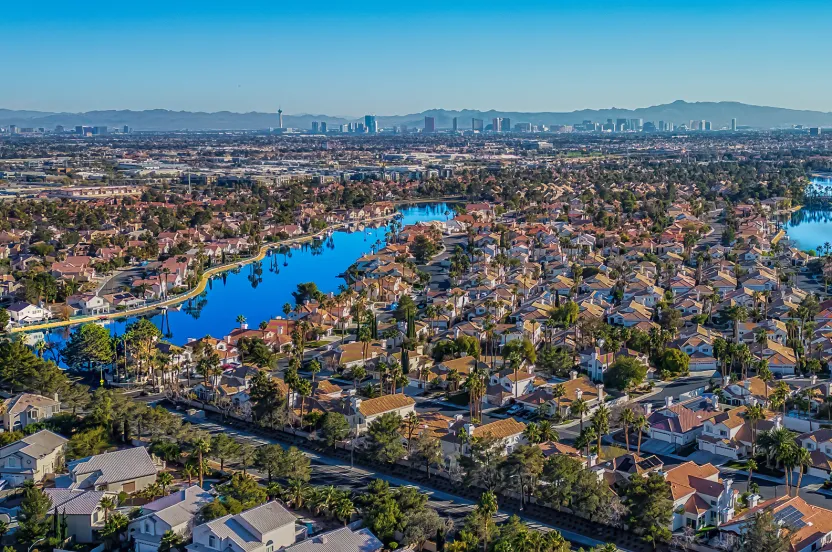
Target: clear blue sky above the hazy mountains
x: 350, y: 58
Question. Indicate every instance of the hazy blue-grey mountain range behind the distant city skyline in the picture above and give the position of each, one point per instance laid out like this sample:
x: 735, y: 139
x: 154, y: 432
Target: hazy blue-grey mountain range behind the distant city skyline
x: 678, y: 112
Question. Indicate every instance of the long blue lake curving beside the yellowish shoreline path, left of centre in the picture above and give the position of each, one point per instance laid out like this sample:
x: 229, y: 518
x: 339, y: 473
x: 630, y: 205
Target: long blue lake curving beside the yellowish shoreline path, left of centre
x: 261, y: 296
